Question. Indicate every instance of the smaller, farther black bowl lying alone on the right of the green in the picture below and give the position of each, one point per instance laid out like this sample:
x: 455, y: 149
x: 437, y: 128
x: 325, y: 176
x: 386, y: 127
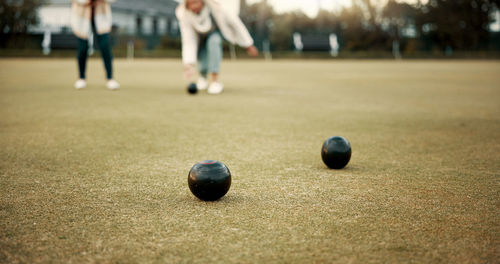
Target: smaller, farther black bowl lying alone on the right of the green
x: 336, y: 152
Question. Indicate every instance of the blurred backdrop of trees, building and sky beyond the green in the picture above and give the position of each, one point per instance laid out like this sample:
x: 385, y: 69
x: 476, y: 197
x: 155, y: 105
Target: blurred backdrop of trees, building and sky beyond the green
x: 281, y: 28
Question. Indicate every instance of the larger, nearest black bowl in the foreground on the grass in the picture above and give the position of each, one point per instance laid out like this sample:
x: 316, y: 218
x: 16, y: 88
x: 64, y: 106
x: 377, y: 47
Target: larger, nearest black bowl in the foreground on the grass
x: 209, y: 180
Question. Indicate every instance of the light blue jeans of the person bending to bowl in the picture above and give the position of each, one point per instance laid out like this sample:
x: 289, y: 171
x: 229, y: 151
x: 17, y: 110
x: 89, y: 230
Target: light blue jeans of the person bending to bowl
x: 210, y: 53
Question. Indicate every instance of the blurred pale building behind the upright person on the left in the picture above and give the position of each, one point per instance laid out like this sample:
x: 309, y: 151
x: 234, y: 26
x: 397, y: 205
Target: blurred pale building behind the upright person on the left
x: 130, y: 17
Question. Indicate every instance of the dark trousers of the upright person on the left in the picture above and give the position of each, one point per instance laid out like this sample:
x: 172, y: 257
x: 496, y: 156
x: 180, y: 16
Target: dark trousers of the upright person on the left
x: 105, y: 48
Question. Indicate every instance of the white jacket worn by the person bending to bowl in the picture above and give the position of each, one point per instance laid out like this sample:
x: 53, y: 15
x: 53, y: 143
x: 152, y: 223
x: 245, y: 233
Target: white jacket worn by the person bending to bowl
x: 231, y: 27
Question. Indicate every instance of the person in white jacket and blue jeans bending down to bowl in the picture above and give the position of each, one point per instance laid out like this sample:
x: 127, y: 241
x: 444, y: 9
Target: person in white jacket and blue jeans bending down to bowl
x: 202, y: 22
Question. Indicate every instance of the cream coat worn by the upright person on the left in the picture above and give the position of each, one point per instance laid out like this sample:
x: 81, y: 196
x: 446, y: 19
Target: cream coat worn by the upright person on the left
x: 80, y: 18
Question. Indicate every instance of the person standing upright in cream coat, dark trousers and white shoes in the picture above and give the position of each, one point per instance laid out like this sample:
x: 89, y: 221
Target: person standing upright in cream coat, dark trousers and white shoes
x: 95, y: 16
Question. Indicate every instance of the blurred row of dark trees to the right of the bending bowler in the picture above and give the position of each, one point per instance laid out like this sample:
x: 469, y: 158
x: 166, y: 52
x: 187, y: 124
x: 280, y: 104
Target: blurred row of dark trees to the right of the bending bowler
x: 376, y: 24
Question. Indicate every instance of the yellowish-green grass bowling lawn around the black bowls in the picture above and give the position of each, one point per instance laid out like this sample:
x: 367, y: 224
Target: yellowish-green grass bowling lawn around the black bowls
x: 101, y: 176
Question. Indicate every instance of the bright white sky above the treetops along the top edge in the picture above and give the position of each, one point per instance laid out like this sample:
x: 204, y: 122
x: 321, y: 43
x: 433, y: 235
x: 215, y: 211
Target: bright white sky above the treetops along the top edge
x: 310, y: 7
